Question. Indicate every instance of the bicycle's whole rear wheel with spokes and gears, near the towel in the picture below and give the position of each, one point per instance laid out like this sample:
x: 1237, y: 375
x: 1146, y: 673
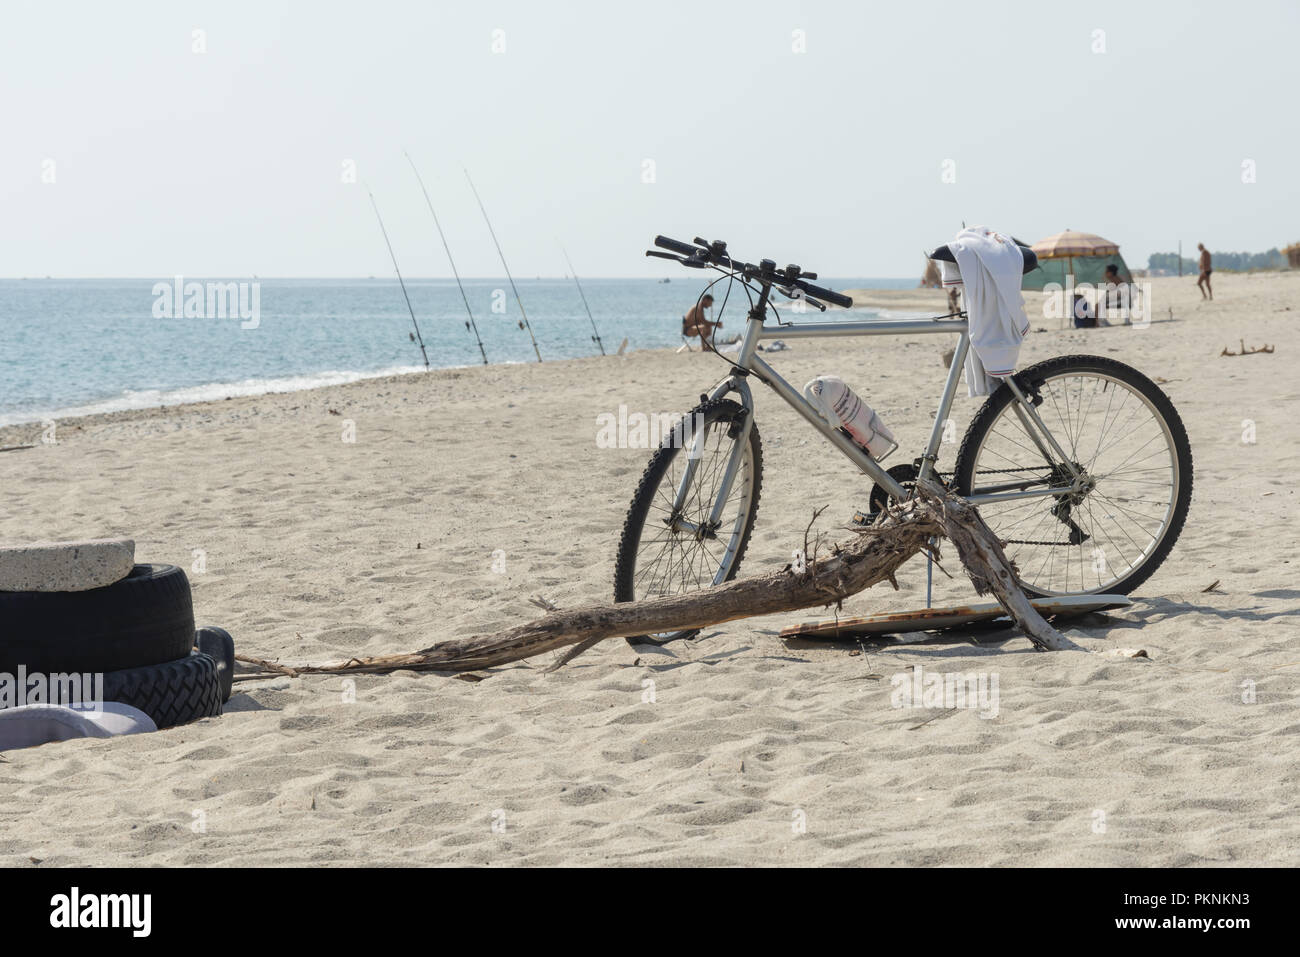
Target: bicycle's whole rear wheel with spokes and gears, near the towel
x: 1119, y: 499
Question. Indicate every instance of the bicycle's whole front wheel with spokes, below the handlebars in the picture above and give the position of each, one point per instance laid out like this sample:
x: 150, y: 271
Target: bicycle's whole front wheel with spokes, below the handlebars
x: 666, y: 551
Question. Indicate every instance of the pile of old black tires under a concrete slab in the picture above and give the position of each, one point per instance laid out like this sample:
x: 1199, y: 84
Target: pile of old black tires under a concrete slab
x: 138, y: 633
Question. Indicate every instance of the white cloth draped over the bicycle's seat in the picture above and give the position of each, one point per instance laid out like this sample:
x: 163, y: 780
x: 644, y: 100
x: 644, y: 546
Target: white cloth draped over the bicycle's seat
x: 991, y: 267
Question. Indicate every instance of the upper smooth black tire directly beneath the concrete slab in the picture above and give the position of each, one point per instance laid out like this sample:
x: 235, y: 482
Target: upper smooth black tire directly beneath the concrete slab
x: 148, y: 618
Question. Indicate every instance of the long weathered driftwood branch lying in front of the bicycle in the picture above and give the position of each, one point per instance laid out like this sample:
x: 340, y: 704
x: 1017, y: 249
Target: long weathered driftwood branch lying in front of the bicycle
x: 874, y: 556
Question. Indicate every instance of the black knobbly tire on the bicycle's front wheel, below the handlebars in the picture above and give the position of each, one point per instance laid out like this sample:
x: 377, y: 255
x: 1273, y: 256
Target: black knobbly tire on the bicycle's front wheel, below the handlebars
x: 721, y: 417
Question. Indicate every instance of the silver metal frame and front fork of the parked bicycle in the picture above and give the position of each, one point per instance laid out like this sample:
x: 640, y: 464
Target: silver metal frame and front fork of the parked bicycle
x: 749, y: 363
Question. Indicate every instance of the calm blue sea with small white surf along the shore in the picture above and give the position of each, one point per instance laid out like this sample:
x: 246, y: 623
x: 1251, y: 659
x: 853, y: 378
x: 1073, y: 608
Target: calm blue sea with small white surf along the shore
x: 84, y: 347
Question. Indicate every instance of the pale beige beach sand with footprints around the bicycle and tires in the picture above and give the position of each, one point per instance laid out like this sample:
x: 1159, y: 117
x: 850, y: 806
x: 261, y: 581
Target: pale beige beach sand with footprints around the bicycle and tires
x: 469, y: 491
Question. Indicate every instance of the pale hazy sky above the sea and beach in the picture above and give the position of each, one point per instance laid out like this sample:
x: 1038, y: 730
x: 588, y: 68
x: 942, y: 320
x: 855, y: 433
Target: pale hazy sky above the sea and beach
x: 231, y: 162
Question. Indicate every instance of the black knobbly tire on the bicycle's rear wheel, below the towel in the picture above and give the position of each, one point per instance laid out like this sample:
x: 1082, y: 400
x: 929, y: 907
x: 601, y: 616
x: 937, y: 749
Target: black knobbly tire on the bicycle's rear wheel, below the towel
x: 1180, y: 466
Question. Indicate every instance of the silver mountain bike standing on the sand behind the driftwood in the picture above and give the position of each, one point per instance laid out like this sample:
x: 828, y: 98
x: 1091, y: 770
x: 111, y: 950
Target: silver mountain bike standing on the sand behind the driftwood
x: 1090, y: 506
